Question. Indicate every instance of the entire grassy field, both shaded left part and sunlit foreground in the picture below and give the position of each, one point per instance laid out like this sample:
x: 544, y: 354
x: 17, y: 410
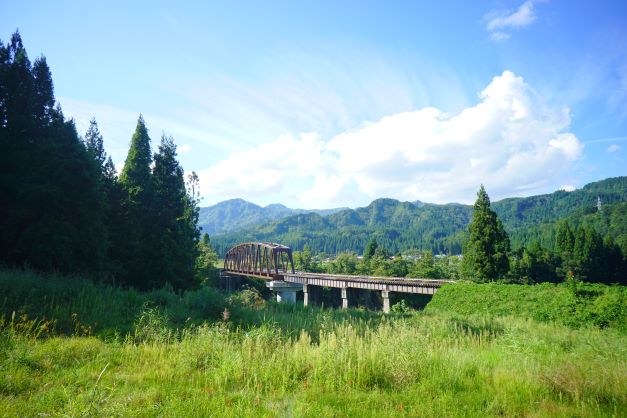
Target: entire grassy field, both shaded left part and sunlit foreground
x: 253, y: 358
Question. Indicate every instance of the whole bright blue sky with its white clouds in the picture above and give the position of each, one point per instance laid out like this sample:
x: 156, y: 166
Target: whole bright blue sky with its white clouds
x: 320, y: 104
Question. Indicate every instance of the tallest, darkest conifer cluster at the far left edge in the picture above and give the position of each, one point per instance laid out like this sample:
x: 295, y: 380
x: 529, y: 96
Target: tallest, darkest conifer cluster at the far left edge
x: 51, y: 206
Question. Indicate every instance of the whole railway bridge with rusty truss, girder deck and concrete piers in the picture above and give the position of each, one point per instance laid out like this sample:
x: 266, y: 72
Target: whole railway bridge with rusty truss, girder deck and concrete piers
x: 274, y: 262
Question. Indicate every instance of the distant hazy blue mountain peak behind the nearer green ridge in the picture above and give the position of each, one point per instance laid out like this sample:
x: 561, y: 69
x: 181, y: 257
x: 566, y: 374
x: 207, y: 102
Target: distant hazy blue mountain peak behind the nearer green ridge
x: 235, y: 214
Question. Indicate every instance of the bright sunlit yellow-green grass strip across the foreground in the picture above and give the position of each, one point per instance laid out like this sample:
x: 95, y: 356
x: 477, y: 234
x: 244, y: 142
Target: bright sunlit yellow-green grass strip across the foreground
x: 416, y: 365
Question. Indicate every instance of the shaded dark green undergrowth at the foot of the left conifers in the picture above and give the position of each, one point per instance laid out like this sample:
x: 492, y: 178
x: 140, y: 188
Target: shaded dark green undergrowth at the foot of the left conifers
x: 66, y: 303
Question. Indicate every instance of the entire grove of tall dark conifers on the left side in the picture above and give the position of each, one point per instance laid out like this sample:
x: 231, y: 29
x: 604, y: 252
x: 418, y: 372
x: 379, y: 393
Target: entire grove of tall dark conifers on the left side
x: 64, y: 208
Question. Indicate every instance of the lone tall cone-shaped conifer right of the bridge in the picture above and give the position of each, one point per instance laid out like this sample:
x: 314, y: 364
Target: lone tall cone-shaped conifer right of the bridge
x: 485, y: 251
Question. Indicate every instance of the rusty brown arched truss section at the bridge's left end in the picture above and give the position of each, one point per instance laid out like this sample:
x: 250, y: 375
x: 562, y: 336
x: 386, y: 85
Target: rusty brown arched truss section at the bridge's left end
x: 260, y: 259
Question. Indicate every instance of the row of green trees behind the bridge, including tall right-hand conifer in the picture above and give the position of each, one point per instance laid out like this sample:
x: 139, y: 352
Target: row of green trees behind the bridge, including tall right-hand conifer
x: 580, y: 254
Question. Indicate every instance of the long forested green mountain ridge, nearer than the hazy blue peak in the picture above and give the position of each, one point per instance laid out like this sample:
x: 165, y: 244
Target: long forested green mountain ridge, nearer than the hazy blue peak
x: 400, y: 226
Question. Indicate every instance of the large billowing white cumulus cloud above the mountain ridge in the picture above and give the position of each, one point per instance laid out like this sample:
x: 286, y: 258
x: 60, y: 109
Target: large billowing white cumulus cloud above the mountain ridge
x: 510, y: 140
